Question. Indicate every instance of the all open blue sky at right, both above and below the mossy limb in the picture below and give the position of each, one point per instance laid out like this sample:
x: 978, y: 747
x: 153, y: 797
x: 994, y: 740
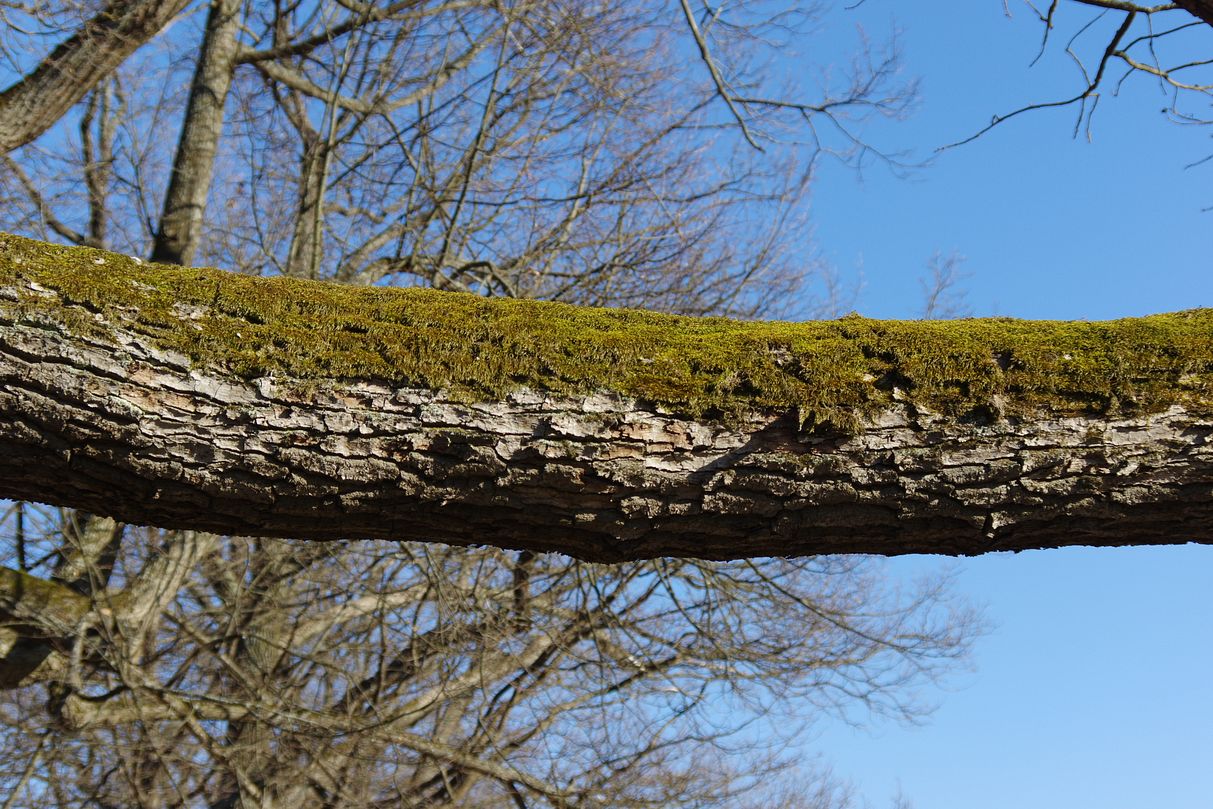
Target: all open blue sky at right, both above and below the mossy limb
x: 1096, y: 686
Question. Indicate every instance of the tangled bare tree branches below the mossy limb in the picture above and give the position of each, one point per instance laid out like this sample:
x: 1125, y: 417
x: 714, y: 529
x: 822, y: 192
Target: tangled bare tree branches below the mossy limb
x: 447, y: 679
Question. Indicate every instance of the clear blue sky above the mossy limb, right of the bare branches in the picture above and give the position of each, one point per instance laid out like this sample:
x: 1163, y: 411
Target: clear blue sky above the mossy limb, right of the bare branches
x: 1052, y: 226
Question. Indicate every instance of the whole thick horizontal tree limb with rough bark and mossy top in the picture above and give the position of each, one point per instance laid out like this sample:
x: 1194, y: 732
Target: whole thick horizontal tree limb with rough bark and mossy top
x: 202, y: 400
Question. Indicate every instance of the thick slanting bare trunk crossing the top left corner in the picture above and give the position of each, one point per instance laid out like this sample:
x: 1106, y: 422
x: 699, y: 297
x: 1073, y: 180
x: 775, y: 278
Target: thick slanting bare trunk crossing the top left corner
x: 41, y: 99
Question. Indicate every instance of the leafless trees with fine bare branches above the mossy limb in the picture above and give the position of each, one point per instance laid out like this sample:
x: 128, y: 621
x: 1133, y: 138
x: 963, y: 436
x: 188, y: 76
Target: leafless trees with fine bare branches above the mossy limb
x: 522, y: 150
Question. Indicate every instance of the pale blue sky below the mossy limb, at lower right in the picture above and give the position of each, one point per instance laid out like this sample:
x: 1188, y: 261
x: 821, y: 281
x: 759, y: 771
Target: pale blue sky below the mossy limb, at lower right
x: 1092, y: 691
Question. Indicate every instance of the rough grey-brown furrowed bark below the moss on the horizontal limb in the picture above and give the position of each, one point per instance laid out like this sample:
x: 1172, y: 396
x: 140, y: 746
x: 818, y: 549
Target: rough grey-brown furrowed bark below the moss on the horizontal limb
x: 128, y: 430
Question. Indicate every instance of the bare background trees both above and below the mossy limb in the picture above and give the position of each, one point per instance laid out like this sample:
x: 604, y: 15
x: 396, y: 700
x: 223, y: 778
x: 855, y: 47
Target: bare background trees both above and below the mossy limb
x: 526, y: 149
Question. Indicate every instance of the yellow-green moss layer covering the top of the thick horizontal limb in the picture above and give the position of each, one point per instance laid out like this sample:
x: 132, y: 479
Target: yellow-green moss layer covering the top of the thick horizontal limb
x: 833, y: 373
